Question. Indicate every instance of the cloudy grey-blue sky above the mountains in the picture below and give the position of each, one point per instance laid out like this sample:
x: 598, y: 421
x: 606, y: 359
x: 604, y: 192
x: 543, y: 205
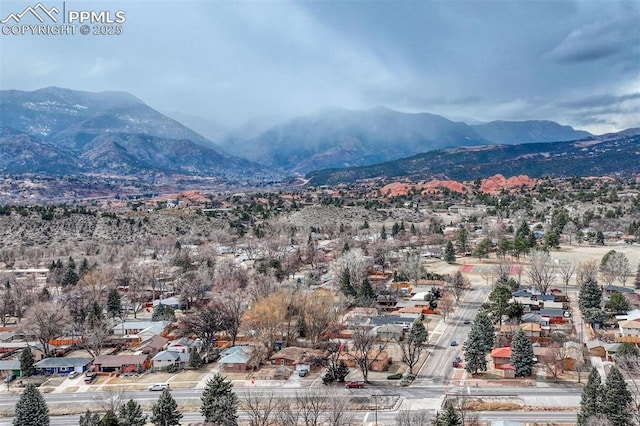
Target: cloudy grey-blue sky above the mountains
x: 575, y: 62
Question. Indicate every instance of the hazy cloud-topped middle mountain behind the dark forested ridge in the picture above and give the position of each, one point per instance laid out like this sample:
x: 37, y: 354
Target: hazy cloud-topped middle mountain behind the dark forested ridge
x: 338, y: 138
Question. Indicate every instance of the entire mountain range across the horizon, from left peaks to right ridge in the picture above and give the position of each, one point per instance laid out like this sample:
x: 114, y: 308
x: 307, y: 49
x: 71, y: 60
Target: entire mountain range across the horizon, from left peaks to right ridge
x: 60, y: 132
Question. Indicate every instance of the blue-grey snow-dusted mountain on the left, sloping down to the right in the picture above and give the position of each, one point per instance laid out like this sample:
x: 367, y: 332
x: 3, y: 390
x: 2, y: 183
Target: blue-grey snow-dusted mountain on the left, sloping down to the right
x: 62, y: 131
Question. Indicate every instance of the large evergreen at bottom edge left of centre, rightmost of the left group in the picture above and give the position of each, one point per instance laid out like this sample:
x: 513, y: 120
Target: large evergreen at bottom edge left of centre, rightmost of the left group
x: 219, y: 402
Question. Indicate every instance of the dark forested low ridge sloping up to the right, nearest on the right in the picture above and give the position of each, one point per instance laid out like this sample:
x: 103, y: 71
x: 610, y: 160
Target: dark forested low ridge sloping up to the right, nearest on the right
x: 610, y: 154
